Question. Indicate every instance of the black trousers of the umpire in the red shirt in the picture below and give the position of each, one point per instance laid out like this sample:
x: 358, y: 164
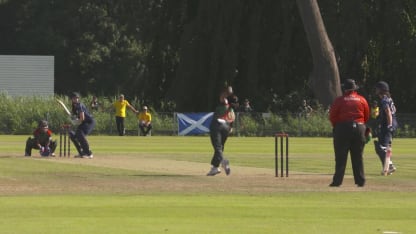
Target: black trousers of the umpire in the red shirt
x: 349, y: 138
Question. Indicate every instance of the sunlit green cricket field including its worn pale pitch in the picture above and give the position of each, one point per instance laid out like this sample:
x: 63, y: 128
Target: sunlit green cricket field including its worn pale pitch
x: 158, y: 185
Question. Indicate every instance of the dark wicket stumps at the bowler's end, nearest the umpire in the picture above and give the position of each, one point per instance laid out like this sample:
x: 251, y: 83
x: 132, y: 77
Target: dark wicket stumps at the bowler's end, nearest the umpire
x: 281, y: 137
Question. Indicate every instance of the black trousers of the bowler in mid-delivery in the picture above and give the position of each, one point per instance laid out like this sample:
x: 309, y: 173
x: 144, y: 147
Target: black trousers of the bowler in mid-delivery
x: 219, y: 134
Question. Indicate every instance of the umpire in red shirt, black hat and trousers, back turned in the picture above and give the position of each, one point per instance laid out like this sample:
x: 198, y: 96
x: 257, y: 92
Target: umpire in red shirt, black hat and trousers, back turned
x: 348, y: 115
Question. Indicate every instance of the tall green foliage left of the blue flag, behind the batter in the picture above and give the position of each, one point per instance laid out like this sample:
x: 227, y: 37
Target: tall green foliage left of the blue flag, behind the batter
x: 20, y: 115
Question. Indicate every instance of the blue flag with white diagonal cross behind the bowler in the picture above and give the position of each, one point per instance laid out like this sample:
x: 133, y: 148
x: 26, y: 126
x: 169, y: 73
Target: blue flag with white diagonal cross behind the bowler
x: 194, y: 123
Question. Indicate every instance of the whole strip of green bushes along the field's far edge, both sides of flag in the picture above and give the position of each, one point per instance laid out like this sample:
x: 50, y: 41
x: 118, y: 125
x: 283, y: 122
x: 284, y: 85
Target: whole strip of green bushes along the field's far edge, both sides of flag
x: 20, y: 115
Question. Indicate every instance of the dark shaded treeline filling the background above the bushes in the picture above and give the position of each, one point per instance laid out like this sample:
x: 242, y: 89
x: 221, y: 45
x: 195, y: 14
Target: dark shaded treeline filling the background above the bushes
x: 177, y: 54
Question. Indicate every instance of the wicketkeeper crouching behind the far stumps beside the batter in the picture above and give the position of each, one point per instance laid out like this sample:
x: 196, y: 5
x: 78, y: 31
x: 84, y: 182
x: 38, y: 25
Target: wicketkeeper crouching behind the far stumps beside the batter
x: 41, y: 140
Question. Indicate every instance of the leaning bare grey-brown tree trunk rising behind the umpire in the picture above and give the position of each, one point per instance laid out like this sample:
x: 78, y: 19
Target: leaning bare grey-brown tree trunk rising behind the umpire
x: 324, y: 79
